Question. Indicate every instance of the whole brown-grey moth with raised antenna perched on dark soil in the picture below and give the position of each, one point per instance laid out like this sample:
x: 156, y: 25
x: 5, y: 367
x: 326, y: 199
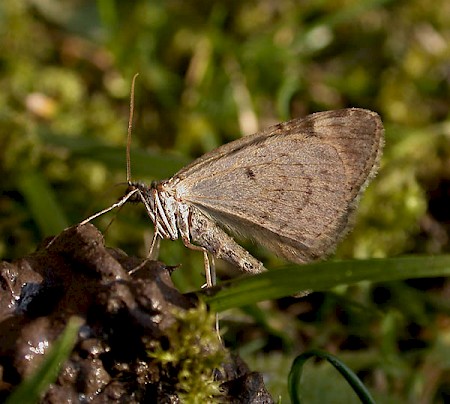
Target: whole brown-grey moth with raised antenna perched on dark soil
x: 292, y: 188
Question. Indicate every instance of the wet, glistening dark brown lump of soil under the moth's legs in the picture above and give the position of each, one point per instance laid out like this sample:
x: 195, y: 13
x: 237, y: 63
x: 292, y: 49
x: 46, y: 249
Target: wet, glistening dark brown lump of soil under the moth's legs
x: 128, y: 307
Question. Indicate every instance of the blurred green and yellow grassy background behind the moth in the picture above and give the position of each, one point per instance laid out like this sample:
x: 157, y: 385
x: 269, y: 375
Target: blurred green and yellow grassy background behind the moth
x: 211, y: 71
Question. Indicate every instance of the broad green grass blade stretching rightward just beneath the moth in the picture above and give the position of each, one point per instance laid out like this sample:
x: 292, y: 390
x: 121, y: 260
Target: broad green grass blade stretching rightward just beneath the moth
x: 320, y: 276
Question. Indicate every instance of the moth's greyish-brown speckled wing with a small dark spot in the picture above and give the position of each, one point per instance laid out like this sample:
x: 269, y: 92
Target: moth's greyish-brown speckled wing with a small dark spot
x: 292, y: 187
